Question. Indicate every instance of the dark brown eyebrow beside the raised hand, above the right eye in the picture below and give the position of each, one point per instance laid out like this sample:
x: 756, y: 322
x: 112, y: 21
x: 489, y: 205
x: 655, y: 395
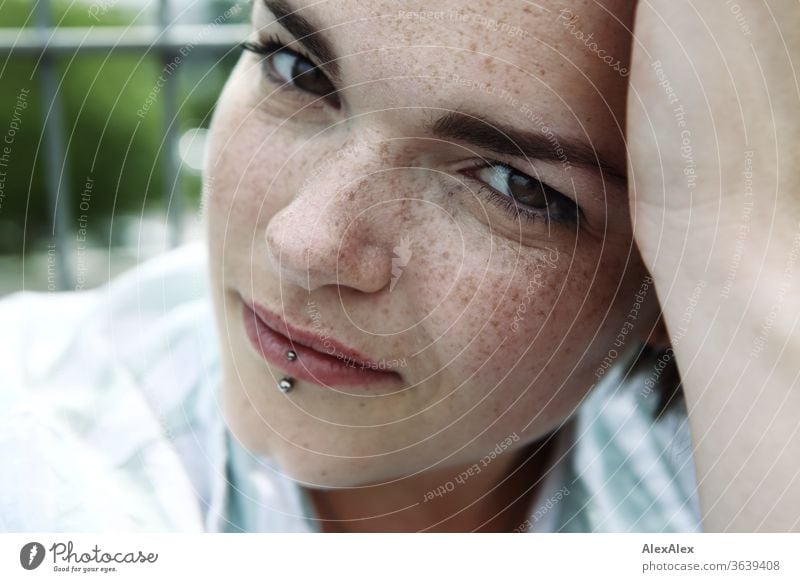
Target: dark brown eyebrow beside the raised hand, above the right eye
x: 483, y: 133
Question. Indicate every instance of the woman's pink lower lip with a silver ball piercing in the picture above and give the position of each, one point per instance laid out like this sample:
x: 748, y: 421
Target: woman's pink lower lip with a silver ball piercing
x: 310, y: 365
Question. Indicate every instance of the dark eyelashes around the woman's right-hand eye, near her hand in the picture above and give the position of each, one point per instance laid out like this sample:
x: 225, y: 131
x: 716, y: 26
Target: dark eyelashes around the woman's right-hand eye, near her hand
x: 571, y: 217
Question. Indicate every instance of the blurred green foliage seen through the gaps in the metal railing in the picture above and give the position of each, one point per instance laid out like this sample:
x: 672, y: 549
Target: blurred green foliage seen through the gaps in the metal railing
x: 105, y: 139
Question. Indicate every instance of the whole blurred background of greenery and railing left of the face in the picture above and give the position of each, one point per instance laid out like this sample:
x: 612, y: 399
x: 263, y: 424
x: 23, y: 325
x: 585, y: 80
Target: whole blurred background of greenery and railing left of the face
x: 104, y: 106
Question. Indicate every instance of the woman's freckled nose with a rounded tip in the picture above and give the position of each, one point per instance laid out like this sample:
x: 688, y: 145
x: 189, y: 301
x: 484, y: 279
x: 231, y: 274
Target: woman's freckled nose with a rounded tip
x: 335, y: 231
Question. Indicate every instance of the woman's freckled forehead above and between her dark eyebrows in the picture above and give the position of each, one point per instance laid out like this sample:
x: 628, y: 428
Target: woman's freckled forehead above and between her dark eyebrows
x: 565, y: 60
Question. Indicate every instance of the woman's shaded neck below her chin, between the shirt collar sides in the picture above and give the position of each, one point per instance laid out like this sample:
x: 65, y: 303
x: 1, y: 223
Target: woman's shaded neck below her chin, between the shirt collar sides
x: 472, y: 497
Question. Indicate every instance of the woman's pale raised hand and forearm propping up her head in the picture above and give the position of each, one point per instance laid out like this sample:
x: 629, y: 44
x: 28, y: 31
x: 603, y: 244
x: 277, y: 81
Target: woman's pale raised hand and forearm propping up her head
x: 713, y: 133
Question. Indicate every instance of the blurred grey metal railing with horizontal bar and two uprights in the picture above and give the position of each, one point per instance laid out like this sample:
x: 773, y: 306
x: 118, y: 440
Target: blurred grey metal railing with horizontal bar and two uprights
x: 163, y: 40
